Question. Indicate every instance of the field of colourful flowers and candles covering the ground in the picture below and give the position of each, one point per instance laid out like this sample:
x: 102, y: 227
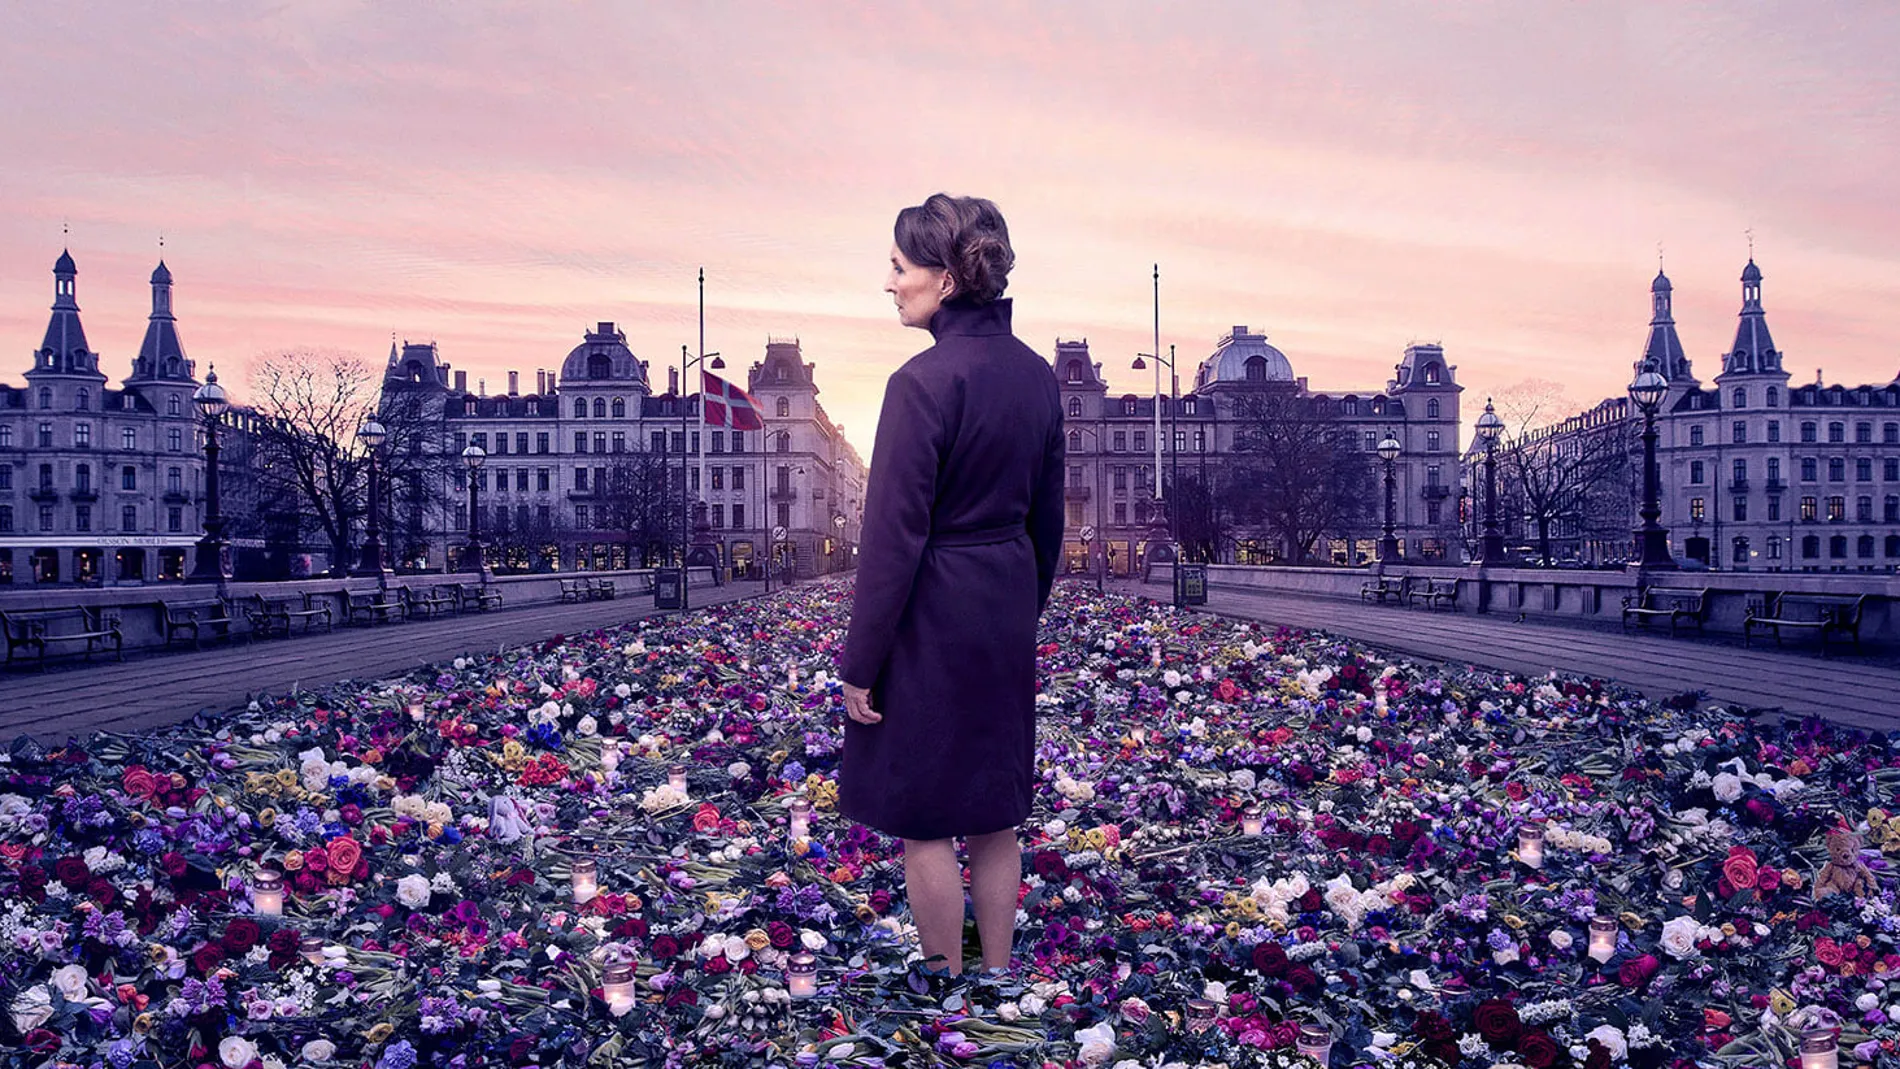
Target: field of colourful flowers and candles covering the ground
x: 428, y: 833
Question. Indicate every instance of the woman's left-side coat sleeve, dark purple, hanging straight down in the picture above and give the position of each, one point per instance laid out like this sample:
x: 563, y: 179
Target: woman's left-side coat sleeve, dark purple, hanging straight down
x: 898, y: 525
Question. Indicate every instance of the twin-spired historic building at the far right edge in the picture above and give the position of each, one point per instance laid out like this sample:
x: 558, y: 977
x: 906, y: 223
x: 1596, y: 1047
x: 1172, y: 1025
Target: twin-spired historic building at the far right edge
x: 1757, y: 472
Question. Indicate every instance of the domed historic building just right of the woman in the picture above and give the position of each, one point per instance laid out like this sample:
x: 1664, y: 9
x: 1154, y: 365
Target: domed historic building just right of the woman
x: 1112, y: 474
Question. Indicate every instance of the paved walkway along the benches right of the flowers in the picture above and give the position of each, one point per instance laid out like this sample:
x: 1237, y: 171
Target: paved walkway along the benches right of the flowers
x: 1852, y: 690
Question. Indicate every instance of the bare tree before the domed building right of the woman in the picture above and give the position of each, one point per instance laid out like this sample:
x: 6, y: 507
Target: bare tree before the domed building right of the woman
x: 1297, y: 470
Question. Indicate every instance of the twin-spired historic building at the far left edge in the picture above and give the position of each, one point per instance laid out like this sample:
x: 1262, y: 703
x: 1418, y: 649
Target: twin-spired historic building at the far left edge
x: 98, y: 483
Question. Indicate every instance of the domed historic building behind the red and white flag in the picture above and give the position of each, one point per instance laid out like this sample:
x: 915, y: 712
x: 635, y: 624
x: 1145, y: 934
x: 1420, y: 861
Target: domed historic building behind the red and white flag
x: 554, y: 457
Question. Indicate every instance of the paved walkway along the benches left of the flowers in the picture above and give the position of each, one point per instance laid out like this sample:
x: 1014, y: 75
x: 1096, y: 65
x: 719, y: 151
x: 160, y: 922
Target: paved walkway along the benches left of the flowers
x: 155, y: 690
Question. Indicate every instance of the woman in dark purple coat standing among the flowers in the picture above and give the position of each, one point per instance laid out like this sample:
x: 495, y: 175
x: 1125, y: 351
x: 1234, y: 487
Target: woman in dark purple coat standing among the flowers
x: 959, y: 553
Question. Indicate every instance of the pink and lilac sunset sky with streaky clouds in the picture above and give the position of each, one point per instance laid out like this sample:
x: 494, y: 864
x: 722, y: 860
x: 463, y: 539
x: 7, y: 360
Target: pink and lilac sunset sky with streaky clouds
x: 1348, y: 178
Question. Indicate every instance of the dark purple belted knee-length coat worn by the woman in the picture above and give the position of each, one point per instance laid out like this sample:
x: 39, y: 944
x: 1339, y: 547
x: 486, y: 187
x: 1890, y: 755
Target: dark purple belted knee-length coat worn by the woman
x: 960, y: 546
